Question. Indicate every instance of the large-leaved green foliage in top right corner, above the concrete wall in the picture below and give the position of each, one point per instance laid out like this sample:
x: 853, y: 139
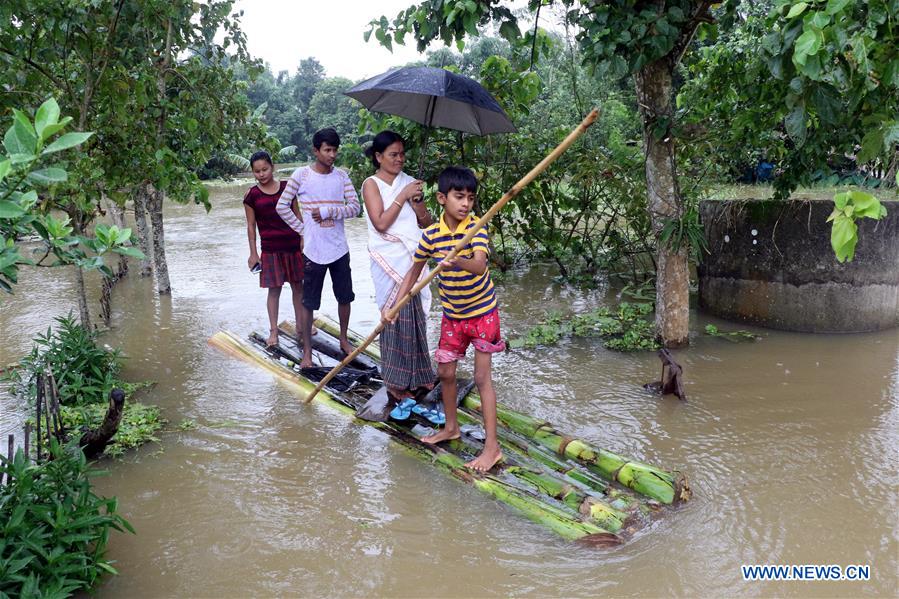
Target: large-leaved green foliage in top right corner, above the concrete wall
x: 811, y: 86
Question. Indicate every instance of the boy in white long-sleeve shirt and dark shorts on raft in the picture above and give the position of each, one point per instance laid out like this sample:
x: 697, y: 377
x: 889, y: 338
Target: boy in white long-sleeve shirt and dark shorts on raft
x: 327, y: 197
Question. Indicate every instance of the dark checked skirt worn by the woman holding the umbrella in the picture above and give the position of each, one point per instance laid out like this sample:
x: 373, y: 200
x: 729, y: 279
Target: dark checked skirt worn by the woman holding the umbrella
x: 405, y: 360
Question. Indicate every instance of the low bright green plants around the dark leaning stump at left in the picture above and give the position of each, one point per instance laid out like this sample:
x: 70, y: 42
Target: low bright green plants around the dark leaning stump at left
x: 140, y: 424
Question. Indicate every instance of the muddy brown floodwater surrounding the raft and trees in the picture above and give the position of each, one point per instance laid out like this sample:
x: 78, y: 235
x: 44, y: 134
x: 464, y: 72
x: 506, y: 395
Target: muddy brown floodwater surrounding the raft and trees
x: 790, y: 444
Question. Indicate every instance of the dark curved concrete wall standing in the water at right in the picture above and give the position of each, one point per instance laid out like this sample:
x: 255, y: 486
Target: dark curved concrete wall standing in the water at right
x: 771, y: 264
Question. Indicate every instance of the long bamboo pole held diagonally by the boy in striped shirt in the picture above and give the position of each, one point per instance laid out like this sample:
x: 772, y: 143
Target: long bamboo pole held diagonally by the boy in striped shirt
x: 516, y: 189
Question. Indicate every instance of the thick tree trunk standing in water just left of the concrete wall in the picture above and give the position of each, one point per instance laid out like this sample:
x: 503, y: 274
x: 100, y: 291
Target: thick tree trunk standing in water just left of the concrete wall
x: 654, y: 94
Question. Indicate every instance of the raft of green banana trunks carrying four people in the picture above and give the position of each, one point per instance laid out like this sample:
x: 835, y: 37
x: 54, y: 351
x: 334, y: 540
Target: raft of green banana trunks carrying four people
x: 579, y: 491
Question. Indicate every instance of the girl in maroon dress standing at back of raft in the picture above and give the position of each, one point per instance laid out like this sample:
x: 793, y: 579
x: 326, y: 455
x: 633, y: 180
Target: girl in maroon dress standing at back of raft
x: 281, y: 260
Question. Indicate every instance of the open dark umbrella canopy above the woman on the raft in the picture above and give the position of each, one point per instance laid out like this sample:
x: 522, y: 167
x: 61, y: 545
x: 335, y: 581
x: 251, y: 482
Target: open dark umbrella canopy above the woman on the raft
x: 435, y: 98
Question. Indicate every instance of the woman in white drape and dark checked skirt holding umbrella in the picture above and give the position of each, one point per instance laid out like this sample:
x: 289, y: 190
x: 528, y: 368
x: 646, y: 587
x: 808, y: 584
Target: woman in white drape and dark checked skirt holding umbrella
x: 396, y: 214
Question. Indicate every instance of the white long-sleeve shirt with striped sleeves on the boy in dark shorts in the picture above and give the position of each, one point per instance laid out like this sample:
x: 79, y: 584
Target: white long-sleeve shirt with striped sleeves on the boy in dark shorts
x: 335, y: 197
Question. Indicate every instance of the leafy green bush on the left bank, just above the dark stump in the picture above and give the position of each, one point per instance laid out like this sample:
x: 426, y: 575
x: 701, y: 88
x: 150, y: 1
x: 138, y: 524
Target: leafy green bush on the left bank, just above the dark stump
x: 85, y: 373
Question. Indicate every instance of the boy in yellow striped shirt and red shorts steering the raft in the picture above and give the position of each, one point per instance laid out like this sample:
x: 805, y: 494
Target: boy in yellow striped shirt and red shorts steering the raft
x: 470, y: 314
